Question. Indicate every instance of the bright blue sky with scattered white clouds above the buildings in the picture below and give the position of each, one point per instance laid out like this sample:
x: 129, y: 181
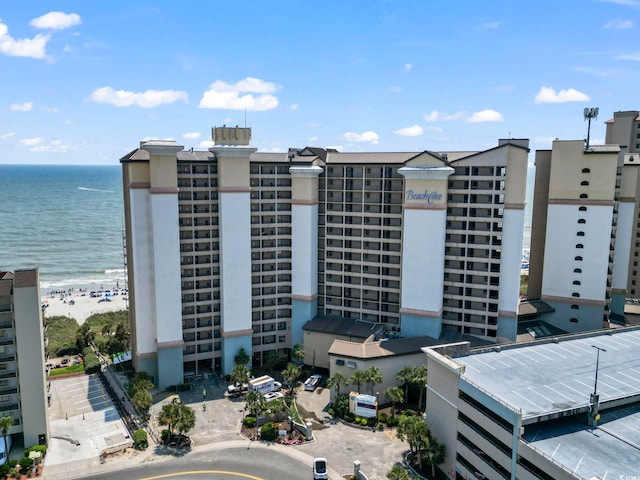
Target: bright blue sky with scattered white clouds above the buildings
x: 84, y: 82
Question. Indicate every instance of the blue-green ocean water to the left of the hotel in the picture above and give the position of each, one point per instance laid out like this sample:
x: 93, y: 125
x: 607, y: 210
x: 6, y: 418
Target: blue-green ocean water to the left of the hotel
x: 67, y: 220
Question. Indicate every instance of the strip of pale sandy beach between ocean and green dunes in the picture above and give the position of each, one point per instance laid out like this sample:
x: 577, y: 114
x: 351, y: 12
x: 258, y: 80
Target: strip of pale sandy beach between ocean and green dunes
x: 80, y: 305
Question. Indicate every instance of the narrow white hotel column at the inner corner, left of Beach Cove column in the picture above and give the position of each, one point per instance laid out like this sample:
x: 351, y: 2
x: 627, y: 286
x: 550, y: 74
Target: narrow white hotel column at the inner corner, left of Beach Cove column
x: 304, y: 248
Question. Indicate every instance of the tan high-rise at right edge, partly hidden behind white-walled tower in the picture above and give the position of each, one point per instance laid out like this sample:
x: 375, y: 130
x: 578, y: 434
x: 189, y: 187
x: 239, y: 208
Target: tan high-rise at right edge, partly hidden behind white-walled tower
x: 624, y: 129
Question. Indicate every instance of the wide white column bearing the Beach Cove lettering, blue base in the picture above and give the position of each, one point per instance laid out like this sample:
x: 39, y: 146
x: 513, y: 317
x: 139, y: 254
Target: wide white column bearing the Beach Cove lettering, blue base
x: 423, y: 237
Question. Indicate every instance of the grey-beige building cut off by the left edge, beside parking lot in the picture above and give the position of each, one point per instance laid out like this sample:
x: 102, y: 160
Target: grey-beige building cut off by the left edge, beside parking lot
x: 23, y: 393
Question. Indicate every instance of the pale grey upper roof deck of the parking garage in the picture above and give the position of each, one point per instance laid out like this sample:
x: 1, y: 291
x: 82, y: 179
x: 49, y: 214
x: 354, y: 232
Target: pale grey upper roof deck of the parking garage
x: 551, y: 377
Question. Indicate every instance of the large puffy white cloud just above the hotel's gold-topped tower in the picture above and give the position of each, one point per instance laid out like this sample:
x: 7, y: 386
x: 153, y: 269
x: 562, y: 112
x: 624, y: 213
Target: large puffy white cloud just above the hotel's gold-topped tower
x: 224, y: 96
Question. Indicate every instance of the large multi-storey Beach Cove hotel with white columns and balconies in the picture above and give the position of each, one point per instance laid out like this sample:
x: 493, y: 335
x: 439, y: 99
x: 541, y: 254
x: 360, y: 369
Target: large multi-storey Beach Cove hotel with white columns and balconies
x: 233, y: 248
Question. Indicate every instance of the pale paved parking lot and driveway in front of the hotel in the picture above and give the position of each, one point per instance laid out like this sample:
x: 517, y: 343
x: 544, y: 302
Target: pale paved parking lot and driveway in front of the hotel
x: 217, y: 427
